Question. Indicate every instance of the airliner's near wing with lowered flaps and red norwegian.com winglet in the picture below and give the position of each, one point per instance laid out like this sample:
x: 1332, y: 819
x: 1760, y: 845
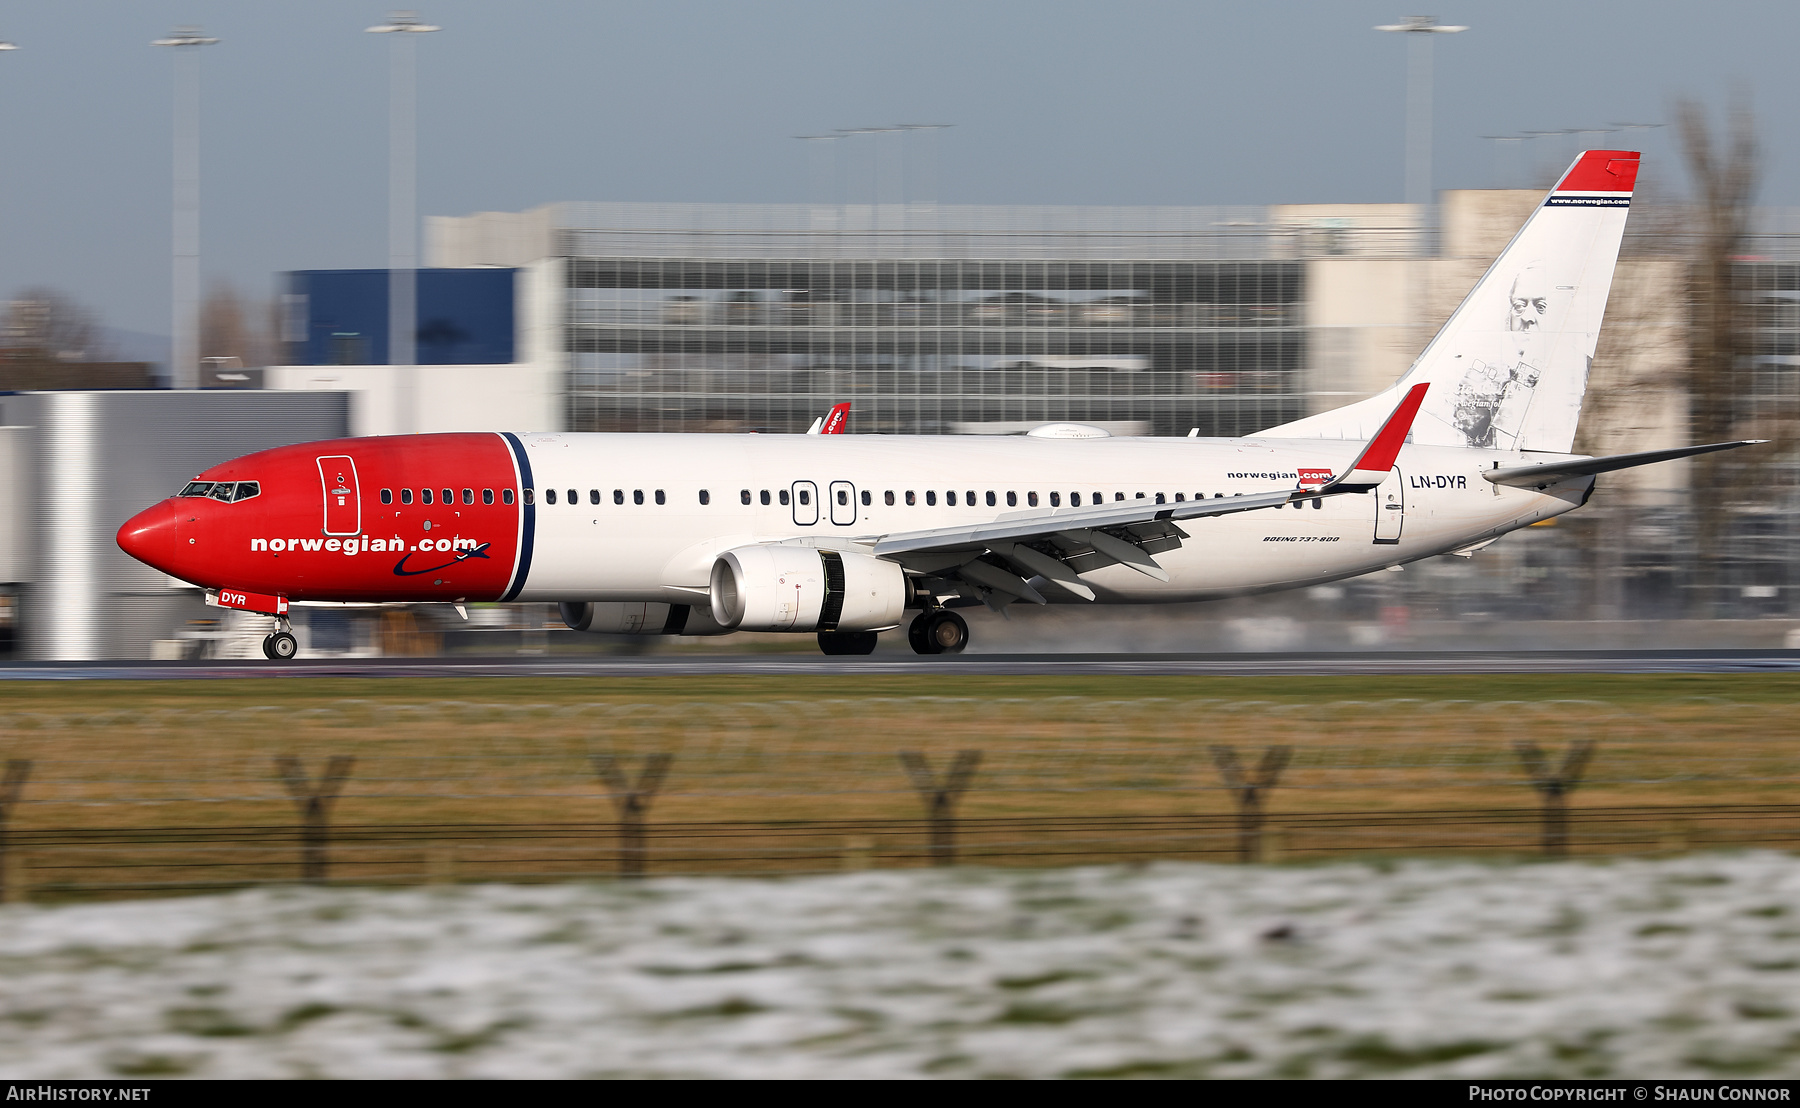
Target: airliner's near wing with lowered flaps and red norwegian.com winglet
x: 1007, y: 560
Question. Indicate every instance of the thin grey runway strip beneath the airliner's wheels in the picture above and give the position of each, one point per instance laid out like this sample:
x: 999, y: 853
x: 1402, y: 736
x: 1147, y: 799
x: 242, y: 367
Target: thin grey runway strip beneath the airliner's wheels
x: 1261, y: 665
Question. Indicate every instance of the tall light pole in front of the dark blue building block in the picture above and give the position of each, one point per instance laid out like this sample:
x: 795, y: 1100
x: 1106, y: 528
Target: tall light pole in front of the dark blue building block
x: 402, y: 199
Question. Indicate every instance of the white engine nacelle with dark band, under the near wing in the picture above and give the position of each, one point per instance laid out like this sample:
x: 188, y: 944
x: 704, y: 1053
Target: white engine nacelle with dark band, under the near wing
x: 805, y: 589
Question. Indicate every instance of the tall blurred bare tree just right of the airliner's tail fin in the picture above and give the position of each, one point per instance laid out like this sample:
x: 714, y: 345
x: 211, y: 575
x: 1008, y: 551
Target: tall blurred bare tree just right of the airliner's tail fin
x: 1725, y: 179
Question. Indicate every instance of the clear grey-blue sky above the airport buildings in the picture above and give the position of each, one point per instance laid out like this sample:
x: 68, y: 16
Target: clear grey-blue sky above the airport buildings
x: 1054, y: 102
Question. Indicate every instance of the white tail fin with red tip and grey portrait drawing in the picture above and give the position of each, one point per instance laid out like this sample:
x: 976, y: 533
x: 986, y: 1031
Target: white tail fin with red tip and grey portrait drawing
x: 1511, y: 366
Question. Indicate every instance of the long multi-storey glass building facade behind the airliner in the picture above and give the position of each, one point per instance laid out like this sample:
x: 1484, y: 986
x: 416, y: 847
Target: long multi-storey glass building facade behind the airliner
x: 957, y: 323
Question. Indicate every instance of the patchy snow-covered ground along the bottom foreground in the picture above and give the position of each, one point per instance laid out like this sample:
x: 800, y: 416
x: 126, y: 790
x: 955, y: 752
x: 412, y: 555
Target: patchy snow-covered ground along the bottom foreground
x: 1644, y: 969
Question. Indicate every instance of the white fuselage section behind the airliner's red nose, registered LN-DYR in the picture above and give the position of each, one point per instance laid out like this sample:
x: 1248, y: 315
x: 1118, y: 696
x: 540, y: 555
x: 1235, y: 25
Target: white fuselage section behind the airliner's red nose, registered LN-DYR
x: 838, y: 488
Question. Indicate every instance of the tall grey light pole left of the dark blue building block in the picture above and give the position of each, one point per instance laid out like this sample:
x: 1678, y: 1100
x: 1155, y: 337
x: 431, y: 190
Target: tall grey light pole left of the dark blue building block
x: 184, y: 280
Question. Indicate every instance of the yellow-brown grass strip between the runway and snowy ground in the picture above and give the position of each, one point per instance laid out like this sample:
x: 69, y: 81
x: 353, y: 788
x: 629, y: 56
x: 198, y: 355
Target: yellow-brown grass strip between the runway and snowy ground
x: 150, y: 783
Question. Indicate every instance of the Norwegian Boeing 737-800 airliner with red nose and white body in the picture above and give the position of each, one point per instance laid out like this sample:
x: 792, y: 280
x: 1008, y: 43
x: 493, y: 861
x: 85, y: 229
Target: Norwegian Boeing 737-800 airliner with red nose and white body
x: 847, y: 537
